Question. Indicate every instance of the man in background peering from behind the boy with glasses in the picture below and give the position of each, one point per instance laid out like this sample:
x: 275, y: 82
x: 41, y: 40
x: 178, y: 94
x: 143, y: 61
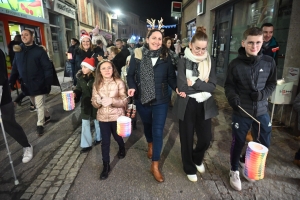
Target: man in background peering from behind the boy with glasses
x: 270, y: 46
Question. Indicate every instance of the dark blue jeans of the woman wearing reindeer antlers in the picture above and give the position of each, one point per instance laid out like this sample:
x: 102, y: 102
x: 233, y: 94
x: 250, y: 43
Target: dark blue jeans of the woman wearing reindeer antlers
x: 154, y: 118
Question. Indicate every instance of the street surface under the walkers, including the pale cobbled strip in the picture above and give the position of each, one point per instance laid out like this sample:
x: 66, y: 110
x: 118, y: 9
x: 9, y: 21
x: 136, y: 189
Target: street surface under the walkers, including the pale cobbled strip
x: 70, y: 175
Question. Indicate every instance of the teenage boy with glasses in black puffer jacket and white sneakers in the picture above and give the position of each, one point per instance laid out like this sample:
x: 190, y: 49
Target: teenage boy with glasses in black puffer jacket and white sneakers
x: 251, y: 79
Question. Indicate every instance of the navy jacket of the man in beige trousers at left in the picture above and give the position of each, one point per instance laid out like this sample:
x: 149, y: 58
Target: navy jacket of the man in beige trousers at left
x: 33, y: 66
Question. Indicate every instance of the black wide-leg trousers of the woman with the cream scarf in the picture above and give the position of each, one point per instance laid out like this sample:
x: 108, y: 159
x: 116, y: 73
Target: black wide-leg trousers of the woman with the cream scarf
x: 194, y: 121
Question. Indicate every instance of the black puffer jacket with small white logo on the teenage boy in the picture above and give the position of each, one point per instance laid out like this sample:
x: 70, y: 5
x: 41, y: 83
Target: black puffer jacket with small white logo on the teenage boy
x: 250, y: 74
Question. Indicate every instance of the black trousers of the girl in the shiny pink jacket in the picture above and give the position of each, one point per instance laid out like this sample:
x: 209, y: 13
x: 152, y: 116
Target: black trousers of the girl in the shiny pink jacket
x: 106, y: 129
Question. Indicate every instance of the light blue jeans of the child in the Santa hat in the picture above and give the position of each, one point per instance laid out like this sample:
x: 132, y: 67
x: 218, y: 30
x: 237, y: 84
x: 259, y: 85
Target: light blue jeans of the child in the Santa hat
x: 86, y: 134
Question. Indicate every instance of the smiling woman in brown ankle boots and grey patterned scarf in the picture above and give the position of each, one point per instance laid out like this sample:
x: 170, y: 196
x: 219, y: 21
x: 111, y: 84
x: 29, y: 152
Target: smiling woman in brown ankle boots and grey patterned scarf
x: 150, y: 72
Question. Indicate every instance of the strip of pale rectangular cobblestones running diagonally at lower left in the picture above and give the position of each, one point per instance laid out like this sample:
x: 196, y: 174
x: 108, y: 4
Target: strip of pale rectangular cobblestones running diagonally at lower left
x: 57, y: 177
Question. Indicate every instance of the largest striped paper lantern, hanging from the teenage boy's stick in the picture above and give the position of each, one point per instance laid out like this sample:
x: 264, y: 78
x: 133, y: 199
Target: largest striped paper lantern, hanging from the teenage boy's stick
x: 255, y: 160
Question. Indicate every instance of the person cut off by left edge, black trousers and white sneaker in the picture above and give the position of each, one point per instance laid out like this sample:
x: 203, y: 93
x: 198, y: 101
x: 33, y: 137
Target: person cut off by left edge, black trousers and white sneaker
x: 7, y: 113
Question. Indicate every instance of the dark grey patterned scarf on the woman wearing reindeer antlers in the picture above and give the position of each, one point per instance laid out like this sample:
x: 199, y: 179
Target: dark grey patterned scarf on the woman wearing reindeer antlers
x: 147, y: 75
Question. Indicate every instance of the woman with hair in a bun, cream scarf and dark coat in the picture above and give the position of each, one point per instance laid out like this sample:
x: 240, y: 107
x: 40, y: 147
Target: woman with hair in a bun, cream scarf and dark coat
x: 197, y: 79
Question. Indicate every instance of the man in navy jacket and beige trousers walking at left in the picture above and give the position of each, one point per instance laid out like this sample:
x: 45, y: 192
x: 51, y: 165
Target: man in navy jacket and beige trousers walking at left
x: 34, y: 68
